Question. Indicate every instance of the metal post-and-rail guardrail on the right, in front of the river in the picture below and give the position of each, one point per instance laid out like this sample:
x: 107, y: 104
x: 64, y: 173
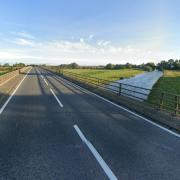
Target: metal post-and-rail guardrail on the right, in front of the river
x: 159, y: 99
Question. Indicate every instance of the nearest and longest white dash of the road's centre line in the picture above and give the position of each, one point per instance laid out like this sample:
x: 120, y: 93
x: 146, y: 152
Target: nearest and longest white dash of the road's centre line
x: 95, y: 153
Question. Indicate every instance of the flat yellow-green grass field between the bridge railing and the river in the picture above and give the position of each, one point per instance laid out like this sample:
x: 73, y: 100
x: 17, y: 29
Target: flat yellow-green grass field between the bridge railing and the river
x: 111, y: 75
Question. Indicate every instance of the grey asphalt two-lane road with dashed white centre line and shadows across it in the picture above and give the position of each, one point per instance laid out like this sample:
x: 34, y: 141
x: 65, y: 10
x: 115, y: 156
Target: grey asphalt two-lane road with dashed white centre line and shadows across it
x: 51, y: 129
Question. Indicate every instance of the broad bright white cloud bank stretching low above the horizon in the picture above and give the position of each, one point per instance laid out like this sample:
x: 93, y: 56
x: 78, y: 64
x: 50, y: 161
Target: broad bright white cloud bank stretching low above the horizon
x: 81, y: 51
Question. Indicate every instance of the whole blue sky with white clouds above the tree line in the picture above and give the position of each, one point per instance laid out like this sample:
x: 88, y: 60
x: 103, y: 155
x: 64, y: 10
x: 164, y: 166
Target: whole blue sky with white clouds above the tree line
x: 89, y: 32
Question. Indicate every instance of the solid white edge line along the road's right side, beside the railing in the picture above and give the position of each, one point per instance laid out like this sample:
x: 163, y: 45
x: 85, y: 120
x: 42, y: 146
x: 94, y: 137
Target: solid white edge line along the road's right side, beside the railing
x: 123, y: 108
